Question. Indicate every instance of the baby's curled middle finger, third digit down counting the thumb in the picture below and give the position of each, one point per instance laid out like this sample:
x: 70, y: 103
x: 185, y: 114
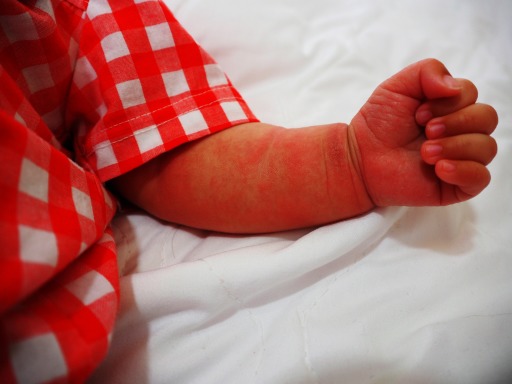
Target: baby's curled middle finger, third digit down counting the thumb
x: 476, y: 118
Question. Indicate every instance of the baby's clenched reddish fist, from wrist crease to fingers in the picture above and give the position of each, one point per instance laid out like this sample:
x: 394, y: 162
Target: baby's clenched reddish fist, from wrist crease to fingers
x: 422, y: 140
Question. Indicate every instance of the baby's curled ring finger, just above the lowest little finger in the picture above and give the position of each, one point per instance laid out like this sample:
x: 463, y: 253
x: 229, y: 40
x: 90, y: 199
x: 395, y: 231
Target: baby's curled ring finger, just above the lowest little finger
x: 473, y: 146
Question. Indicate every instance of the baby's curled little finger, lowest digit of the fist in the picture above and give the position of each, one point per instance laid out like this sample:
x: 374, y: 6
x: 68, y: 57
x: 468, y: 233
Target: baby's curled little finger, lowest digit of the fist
x: 469, y: 177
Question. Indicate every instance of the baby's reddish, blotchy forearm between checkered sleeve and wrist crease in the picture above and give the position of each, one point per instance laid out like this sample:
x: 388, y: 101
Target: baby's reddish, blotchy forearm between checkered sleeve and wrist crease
x: 253, y: 178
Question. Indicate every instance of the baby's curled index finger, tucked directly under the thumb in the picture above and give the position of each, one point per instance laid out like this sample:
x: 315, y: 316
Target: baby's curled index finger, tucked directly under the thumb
x: 441, y: 107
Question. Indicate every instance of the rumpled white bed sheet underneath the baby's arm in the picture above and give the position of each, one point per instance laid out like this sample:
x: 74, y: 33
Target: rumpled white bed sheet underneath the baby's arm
x: 400, y: 295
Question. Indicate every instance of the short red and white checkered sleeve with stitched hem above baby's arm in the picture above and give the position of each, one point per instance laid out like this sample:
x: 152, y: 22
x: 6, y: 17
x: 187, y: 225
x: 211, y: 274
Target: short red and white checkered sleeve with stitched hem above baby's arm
x: 142, y: 86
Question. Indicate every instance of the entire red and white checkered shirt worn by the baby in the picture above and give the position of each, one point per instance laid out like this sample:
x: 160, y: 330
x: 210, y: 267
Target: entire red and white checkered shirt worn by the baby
x: 89, y: 89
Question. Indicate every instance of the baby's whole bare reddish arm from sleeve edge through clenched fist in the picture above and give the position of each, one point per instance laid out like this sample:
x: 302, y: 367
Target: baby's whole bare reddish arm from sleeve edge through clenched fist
x: 262, y: 178
